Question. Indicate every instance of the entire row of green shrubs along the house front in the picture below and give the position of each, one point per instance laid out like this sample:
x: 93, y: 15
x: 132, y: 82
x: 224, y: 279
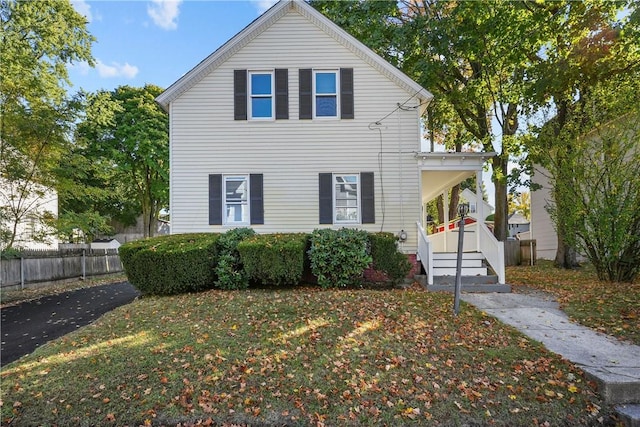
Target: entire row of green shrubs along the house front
x: 192, y: 262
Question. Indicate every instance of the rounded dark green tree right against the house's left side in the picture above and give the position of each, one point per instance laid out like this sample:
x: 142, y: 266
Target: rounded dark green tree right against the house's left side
x: 126, y: 134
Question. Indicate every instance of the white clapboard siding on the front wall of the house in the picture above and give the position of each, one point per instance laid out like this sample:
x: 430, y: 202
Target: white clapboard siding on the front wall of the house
x: 291, y: 153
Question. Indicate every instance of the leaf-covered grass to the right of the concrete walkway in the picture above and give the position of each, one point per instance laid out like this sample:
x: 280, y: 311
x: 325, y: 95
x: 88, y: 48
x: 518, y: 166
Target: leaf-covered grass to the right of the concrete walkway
x: 611, y: 308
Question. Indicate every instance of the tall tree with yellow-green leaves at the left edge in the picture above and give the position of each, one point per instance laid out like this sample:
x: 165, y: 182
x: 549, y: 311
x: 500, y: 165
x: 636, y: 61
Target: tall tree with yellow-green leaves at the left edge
x: 38, y: 41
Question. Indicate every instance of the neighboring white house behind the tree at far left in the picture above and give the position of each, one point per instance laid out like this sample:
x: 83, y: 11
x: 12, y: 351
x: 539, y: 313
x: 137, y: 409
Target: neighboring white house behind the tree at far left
x: 31, y: 203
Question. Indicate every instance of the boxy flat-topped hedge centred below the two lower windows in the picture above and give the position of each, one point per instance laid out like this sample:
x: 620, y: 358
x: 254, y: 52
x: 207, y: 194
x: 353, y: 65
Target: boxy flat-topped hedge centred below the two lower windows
x: 274, y: 259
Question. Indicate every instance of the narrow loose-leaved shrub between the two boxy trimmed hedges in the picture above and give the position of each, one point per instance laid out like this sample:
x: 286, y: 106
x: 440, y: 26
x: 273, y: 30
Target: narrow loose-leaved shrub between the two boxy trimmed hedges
x: 229, y: 271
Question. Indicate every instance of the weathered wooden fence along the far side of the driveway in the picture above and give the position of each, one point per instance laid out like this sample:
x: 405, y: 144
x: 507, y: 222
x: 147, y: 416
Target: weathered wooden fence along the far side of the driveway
x: 49, y: 266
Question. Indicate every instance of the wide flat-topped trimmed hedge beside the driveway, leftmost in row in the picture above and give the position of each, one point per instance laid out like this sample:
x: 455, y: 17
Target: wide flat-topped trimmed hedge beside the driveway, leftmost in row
x: 168, y: 265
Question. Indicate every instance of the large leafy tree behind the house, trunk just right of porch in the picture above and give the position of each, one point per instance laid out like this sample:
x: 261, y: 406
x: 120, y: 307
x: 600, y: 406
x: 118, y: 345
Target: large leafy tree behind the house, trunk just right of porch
x: 472, y: 55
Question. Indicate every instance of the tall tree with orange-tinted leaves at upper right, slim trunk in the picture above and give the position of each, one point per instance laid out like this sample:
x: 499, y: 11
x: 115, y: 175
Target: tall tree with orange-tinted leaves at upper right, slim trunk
x: 590, y: 45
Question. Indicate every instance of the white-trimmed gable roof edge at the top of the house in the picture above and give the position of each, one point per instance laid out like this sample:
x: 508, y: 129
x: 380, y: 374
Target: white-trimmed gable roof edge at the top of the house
x: 267, y: 19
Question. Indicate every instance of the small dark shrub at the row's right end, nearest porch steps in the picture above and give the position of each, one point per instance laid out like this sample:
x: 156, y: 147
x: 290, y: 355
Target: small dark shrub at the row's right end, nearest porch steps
x: 387, y: 258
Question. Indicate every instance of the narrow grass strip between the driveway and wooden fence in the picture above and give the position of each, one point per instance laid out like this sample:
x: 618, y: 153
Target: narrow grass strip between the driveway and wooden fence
x: 10, y: 297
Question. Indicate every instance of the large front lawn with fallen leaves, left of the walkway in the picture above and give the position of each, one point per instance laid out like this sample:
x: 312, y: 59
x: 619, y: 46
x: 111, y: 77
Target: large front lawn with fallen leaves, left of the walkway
x: 300, y: 356
